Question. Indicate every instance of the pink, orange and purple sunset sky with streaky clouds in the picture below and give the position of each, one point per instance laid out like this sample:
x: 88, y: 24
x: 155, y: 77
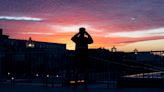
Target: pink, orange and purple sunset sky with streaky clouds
x: 125, y: 24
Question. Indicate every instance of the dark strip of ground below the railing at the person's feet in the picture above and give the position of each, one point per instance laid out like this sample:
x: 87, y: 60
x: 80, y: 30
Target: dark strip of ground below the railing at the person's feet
x: 92, y: 88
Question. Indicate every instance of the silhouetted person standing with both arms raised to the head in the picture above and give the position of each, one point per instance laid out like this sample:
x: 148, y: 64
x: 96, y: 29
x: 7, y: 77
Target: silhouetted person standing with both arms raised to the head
x: 82, y: 39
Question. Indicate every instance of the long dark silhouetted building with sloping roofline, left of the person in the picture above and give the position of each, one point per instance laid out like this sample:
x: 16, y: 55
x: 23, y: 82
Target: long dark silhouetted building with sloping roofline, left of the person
x: 21, y: 57
